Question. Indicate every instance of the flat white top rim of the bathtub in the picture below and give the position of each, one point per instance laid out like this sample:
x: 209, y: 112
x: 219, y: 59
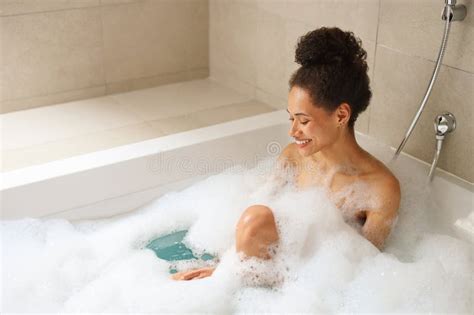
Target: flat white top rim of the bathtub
x: 69, y: 166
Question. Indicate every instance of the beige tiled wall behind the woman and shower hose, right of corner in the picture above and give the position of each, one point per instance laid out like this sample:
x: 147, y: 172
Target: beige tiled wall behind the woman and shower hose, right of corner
x: 252, y: 45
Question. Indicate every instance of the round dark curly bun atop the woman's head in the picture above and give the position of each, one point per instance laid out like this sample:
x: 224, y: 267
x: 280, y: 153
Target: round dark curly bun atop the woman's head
x: 329, y: 46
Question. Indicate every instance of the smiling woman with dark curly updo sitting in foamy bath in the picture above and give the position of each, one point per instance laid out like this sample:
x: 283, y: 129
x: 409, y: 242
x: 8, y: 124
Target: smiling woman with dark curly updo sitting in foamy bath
x: 327, y: 93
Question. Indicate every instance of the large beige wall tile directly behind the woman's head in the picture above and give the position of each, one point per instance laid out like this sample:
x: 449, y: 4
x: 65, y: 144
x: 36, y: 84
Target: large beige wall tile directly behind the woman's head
x: 252, y: 42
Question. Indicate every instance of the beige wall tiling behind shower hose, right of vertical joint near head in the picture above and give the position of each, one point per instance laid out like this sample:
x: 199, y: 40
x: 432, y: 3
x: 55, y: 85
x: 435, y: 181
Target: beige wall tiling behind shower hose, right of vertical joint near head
x: 408, y: 41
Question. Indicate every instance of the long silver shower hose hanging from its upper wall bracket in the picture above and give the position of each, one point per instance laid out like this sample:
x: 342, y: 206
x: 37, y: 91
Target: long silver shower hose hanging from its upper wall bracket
x: 451, y: 12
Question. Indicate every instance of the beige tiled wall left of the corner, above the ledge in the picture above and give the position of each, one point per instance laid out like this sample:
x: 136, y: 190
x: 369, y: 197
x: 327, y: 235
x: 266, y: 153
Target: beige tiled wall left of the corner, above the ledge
x: 54, y: 51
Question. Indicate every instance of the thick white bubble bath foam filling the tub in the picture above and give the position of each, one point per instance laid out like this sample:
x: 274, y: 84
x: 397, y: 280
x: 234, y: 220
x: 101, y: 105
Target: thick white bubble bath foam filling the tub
x: 320, y: 265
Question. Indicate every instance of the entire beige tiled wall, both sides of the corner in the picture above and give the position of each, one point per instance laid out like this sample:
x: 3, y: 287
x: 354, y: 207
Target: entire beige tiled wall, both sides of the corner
x: 63, y: 50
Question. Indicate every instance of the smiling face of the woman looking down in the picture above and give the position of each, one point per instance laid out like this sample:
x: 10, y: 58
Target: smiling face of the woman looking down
x: 312, y: 127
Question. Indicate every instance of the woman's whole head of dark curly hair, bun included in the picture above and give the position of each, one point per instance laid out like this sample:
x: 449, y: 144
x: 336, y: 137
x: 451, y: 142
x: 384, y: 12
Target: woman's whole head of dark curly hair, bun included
x: 333, y: 70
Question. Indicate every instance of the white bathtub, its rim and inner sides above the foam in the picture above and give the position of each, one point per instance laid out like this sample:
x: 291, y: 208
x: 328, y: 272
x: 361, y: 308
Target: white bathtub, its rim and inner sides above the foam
x: 121, y: 179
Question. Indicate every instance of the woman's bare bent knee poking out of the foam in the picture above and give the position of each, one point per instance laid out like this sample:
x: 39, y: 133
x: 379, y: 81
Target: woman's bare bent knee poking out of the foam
x: 256, y: 231
